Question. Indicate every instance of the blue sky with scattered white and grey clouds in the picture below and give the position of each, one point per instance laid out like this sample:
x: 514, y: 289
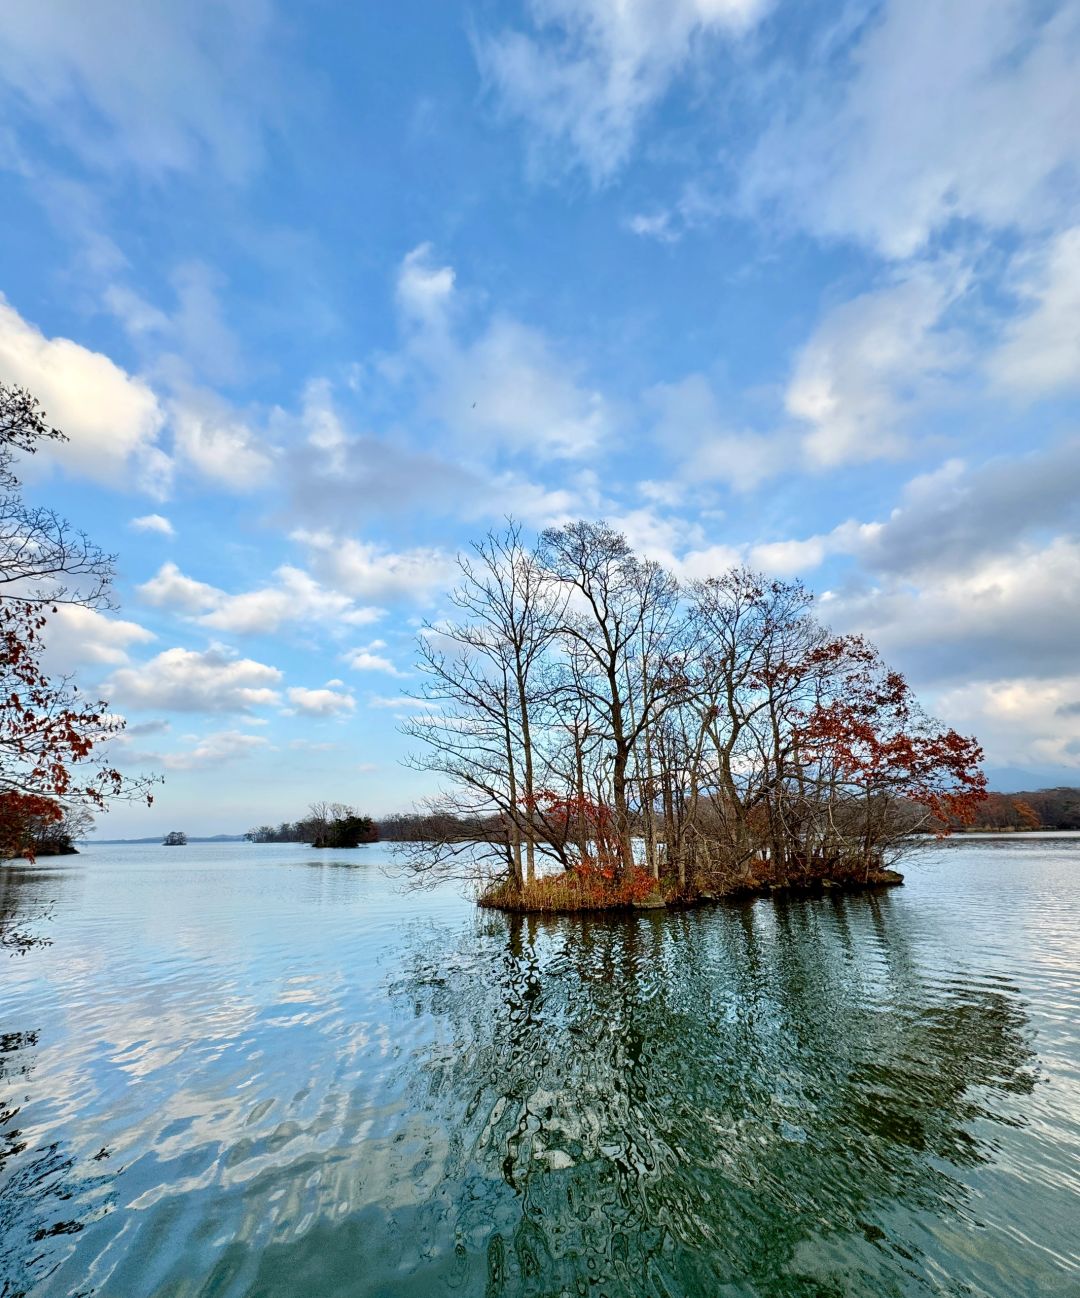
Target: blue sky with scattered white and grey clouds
x: 323, y: 293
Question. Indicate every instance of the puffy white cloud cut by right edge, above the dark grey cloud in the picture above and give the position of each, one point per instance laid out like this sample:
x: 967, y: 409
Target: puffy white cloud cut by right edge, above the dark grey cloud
x: 1042, y: 350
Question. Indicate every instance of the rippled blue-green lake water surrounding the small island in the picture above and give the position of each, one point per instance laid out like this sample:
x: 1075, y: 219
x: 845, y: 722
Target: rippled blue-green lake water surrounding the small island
x: 264, y: 1071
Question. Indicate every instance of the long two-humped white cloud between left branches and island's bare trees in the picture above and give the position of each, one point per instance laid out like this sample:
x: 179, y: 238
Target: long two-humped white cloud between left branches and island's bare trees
x: 295, y: 598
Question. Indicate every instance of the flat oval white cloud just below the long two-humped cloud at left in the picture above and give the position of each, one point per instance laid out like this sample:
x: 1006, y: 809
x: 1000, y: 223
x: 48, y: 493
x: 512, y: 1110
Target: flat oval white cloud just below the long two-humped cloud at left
x: 189, y: 681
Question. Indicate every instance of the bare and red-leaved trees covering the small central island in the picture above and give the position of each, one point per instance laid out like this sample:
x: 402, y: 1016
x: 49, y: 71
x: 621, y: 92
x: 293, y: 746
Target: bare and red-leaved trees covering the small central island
x: 628, y: 739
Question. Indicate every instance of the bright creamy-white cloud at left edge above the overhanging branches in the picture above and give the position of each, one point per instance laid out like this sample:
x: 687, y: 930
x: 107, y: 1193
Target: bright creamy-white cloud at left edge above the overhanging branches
x: 111, y: 417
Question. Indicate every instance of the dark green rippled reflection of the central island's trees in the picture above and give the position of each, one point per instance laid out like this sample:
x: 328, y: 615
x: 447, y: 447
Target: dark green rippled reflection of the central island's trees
x: 770, y: 1099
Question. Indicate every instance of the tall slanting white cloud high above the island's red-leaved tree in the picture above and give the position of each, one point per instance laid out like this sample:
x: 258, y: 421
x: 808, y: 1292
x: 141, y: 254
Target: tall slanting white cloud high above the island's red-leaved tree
x: 874, y: 361
